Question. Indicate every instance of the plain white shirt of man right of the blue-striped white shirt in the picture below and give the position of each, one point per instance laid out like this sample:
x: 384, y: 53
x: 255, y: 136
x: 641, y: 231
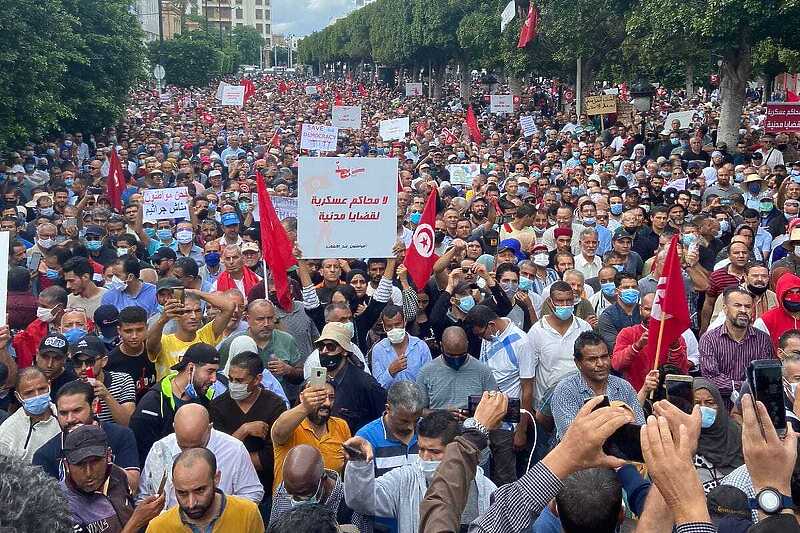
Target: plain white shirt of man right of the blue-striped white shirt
x: 552, y: 353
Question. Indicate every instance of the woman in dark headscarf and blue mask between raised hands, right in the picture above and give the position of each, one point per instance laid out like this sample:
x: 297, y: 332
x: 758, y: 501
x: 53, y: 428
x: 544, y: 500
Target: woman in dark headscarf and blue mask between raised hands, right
x: 719, y: 449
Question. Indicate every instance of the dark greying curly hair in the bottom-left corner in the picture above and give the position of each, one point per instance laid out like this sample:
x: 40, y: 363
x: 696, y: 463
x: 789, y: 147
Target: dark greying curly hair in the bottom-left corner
x: 29, y: 491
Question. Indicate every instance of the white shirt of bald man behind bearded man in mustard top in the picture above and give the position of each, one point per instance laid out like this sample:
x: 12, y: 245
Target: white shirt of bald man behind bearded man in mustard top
x: 237, y: 474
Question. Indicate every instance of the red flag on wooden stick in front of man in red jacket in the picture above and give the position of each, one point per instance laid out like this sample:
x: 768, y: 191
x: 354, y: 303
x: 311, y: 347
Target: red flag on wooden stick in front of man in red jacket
x: 670, y: 315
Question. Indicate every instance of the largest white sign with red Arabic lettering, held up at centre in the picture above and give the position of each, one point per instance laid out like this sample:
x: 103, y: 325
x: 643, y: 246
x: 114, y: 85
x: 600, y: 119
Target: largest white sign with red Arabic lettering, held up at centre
x: 347, y: 206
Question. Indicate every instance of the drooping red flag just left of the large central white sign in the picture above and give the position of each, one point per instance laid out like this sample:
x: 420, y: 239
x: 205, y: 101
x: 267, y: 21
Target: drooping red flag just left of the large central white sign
x: 275, y: 245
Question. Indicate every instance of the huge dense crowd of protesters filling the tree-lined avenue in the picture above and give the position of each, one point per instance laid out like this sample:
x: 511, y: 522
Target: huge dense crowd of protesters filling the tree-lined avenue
x: 150, y: 379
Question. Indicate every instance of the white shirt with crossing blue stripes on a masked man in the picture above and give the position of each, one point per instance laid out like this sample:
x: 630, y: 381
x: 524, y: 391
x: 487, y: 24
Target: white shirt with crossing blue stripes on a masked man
x: 510, y: 357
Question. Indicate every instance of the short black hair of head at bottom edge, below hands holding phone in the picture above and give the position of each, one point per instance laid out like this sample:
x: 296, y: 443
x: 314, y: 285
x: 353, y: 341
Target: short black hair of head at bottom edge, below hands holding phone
x: 590, y: 500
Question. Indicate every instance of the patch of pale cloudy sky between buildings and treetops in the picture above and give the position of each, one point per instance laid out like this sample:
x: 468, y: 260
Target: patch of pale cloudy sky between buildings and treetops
x: 301, y: 17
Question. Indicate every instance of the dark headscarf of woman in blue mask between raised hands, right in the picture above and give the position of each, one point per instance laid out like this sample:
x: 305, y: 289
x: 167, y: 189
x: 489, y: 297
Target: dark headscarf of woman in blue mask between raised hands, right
x: 721, y: 444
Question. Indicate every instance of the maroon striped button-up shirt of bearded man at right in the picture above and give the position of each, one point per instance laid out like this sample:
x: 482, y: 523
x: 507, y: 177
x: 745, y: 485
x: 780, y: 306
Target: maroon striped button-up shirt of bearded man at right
x: 723, y: 359
